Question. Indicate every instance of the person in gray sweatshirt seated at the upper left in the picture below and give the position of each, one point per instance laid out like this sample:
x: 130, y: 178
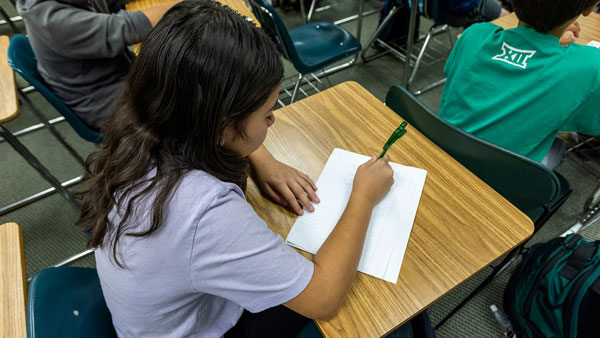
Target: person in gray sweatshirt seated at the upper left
x: 82, y: 49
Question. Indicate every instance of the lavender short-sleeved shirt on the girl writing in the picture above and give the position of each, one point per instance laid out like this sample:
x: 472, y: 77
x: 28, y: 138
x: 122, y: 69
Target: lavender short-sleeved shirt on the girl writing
x: 212, y: 257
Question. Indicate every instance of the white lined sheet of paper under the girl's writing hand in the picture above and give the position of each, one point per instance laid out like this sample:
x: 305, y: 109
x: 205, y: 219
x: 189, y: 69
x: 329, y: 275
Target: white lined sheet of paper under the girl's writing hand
x: 391, y: 221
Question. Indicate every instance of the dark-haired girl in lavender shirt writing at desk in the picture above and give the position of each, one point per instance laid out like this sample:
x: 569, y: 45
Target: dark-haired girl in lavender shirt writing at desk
x: 179, y: 250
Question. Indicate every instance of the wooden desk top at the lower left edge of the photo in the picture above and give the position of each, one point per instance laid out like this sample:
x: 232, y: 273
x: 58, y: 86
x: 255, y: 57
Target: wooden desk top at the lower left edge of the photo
x: 13, y: 283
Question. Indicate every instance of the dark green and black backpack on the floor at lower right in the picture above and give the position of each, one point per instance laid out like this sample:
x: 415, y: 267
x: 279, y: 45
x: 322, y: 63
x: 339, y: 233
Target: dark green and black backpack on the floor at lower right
x: 555, y: 291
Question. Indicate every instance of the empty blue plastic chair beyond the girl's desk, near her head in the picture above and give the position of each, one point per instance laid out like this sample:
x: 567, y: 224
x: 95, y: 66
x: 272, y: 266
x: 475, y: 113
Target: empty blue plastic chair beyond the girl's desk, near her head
x: 310, y: 47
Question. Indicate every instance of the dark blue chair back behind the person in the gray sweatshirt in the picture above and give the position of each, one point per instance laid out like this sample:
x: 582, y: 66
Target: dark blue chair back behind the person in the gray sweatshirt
x: 22, y: 59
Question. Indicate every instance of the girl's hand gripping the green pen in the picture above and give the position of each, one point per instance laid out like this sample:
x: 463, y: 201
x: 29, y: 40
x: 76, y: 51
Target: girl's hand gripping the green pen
x: 373, y: 179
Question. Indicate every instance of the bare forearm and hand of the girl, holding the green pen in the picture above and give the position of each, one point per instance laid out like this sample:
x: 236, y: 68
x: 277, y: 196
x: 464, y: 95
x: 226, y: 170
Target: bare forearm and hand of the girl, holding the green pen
x: 336, y: 261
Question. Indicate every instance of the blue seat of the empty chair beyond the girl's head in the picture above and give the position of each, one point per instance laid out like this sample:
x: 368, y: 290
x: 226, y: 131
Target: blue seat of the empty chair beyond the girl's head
x: 321, y: 43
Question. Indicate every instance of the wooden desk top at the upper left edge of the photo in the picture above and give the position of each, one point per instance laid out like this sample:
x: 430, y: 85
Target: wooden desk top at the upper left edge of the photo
x: 9, y: 109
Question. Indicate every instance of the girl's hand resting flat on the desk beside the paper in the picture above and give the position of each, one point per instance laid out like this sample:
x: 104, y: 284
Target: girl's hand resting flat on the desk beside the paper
x: 282, y: 183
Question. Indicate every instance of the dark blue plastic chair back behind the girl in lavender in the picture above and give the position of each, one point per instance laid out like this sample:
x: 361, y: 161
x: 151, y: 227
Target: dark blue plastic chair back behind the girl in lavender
x: 67, y: 302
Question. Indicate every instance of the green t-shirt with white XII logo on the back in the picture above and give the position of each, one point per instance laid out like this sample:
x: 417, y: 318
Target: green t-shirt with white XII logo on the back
x: 517, y: 88
